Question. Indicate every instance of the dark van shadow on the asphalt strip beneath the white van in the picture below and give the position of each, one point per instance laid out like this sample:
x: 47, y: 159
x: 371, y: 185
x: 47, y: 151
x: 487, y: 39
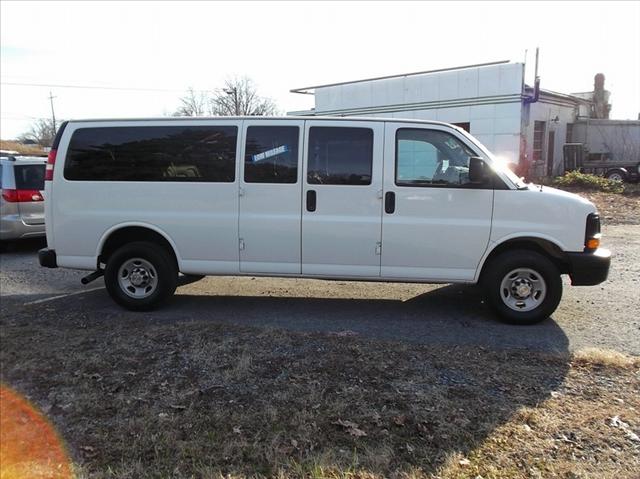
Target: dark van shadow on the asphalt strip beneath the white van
x: 451, y: 314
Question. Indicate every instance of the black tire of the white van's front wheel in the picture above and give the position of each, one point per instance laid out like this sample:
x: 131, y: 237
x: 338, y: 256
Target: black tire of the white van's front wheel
x: 502, y: 265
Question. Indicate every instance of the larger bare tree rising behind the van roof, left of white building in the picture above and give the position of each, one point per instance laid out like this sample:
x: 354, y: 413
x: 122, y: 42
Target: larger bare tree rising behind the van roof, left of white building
x: 239, y: 97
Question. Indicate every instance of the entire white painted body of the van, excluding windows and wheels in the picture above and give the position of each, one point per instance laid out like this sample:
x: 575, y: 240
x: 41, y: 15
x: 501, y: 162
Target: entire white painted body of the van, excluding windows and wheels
x: 435, y: 235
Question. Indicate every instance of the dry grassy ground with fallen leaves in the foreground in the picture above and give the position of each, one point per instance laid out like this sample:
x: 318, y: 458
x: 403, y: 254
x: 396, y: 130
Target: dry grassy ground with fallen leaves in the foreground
x: 142, y: 399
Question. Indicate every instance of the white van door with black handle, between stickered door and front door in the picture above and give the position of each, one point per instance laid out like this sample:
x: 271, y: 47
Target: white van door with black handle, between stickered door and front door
x: 342, y: 206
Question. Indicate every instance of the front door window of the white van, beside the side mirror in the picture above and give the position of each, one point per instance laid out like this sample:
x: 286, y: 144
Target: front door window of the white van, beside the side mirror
x: 431, y: 158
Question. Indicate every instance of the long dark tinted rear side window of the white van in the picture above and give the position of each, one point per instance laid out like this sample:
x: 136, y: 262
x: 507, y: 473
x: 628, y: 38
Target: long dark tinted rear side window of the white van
x: 153, y: 153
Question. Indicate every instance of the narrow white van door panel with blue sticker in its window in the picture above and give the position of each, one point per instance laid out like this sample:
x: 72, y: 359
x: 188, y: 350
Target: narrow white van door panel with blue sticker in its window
x: 270, y: 196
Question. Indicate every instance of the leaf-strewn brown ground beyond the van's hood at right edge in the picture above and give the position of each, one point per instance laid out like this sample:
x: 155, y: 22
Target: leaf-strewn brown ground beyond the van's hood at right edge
x: 614, y: 209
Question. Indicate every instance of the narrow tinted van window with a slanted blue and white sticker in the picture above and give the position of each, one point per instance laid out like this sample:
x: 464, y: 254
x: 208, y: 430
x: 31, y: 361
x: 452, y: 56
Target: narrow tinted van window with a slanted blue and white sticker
x: 271, y: 154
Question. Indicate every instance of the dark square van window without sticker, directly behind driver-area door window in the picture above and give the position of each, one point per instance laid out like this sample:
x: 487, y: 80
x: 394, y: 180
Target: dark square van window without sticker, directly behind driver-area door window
x: 340, y: 156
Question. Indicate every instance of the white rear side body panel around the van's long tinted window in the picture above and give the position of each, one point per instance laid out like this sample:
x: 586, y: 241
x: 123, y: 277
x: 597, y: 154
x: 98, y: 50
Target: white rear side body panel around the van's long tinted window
x: 205, y: 236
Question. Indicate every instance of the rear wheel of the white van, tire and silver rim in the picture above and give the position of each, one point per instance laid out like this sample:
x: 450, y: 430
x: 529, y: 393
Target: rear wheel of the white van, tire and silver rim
x: 140, y: 275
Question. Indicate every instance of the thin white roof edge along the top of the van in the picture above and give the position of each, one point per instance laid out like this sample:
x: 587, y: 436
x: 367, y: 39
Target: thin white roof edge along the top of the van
x: 284, y: 118
